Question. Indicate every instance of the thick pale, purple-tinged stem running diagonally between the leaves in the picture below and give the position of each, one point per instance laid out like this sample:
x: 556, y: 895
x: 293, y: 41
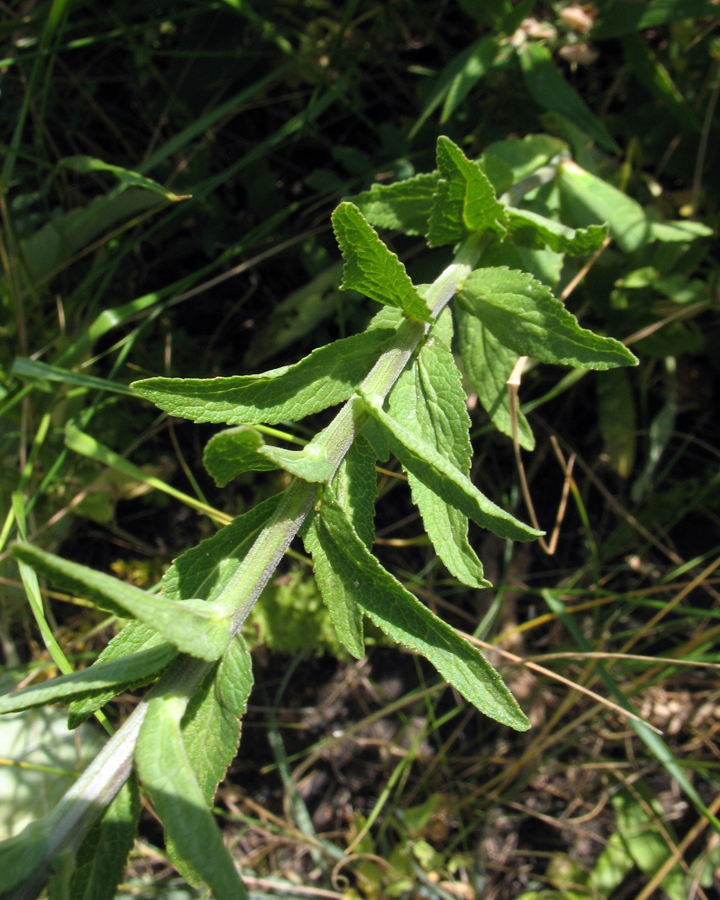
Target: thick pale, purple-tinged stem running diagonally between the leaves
x: 86, y: 799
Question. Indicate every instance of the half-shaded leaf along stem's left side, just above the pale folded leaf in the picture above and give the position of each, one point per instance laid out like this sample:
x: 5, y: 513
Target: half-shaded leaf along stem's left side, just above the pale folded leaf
x: 205, y: 570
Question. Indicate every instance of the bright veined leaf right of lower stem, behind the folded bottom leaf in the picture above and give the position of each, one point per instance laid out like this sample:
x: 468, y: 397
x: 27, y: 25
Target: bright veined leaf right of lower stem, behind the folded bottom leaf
x: 211, y: 731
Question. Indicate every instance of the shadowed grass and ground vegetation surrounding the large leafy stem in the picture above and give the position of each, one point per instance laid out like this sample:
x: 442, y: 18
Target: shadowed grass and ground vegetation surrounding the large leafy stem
x: 168, y: 175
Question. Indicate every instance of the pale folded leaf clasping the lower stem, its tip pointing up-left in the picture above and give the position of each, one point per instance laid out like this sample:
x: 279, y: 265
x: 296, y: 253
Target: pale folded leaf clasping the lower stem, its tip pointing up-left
x: 191, y: 626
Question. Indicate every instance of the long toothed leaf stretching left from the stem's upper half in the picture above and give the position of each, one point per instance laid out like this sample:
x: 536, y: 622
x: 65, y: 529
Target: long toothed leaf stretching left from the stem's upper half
x: 326, y: 377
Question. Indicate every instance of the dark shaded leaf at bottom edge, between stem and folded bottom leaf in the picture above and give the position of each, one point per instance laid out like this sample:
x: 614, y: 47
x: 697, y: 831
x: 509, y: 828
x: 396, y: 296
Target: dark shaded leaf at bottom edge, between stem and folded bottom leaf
x: 100, y: 859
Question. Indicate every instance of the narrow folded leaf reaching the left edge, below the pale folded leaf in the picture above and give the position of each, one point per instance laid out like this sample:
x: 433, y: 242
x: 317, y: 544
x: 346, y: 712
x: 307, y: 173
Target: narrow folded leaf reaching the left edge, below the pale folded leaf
x: 139, y: 667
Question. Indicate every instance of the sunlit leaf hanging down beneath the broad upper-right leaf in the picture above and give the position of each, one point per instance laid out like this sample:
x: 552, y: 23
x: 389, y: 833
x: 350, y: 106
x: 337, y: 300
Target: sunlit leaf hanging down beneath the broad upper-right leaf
x: 488, y: 365
